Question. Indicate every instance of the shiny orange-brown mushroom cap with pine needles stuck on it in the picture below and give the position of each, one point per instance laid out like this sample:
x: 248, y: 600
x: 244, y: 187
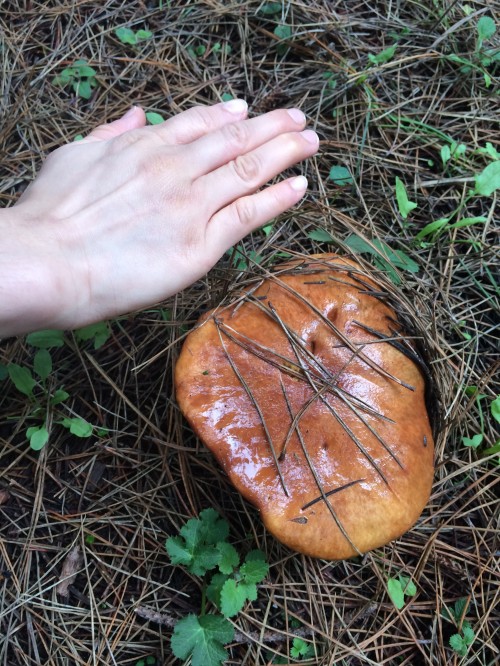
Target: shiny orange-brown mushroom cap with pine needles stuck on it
x: 310, y: 395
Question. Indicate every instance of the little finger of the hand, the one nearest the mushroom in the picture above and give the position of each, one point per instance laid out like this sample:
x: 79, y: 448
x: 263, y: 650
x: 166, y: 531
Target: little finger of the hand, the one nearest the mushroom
x: 232, y: 223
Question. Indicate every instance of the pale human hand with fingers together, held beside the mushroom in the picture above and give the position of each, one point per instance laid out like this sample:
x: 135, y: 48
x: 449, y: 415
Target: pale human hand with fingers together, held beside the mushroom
x: 132, y: 214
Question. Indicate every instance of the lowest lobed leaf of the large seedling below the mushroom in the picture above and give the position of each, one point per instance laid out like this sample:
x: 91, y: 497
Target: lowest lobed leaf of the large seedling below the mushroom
x: 202, y: 638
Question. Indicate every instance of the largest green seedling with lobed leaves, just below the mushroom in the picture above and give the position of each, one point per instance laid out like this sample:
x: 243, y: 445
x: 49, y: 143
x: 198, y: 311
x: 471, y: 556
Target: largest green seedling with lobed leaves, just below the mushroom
x: 200, y: 547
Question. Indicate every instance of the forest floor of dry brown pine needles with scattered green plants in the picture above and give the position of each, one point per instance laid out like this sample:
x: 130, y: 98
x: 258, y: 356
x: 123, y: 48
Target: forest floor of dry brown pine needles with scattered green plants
x: 98, y: 468
